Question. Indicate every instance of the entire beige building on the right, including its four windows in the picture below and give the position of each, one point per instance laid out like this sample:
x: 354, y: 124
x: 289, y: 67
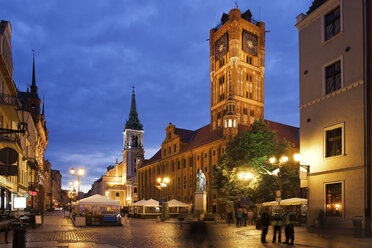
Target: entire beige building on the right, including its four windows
x: 333, y: 116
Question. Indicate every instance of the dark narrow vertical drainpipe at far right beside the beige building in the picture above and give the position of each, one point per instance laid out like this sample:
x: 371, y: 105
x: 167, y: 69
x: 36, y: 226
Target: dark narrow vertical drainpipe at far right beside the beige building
x: 367, y: 109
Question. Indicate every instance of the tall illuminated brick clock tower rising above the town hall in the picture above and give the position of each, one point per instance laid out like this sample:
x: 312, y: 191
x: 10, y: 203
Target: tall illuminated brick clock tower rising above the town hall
x: 237, y: 57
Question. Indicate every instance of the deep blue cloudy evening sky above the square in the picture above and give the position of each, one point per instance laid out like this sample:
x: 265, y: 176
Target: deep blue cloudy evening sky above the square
x: 89, y: 53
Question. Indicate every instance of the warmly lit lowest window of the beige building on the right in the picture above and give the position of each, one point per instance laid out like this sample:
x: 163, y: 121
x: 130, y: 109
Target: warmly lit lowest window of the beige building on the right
x: 334, y: 199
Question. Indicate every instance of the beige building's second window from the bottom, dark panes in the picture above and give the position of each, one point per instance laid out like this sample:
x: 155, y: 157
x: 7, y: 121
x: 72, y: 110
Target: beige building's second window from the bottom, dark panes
x: 333, y: 141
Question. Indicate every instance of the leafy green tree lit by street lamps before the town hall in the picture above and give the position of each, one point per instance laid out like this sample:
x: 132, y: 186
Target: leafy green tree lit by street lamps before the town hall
x: 249, y: 152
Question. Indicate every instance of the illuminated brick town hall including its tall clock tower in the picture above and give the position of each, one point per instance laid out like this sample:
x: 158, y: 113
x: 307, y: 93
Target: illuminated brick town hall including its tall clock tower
x: 237, y: 58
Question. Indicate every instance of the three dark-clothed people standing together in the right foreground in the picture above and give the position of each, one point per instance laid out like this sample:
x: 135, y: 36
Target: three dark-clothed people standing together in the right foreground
x: 278, y: 221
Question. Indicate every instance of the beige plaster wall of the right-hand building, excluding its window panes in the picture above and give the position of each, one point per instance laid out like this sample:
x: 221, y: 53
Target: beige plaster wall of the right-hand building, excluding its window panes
x: 343, y: 107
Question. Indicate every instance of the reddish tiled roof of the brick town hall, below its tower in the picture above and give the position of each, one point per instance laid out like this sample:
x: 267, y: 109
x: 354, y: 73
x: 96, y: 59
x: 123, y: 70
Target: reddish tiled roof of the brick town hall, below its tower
x: 204, y: 136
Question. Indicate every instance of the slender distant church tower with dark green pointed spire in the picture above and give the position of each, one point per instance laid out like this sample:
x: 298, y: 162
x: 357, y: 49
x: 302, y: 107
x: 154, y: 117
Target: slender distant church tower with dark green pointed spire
x: 133, y: 140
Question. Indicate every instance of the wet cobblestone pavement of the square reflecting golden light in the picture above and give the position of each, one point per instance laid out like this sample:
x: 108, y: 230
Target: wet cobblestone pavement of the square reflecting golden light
x: 58, y: 231
